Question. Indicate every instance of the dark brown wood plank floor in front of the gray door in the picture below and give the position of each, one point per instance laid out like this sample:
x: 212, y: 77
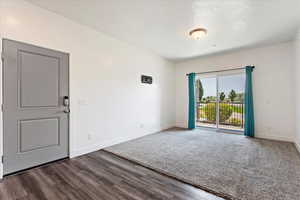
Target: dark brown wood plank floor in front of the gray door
x: 96, y: 176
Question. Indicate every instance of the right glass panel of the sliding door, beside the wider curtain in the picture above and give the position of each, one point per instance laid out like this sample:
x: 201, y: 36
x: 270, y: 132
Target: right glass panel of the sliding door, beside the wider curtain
x: 231, y: 106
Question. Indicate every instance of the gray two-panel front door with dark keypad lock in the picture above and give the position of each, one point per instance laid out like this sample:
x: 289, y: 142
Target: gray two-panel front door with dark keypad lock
x: 36, y: 118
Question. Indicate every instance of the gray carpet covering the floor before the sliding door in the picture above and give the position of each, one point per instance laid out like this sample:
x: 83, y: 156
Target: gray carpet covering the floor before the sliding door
x: 231, y: 166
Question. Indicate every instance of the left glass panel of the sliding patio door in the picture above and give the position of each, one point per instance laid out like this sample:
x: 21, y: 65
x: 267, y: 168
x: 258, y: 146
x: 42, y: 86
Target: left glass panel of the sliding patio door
x: 206, y: 101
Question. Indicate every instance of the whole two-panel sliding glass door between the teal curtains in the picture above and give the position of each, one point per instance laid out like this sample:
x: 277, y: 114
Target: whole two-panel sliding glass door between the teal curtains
x: 220, y: 101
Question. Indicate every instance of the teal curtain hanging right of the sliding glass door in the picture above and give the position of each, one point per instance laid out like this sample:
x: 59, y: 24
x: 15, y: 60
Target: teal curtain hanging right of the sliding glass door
x: 249, y: 110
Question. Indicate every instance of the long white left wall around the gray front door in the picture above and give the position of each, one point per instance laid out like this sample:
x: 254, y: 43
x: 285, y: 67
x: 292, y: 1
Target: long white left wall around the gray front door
x: 107, y: 99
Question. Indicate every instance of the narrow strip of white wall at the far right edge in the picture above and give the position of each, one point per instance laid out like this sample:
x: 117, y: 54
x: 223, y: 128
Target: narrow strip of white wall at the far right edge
x: 297, y: 88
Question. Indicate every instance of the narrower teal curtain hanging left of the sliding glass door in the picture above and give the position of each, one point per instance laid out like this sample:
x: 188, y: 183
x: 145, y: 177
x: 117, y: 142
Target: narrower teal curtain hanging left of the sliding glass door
x: 191, y: 120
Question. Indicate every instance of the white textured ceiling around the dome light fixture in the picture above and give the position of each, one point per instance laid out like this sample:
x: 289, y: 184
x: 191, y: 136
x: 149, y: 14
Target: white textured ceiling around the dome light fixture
x: 163, y: 25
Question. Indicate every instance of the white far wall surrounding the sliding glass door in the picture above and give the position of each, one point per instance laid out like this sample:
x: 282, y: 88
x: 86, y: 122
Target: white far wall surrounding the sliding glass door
x: 272, y: 85
